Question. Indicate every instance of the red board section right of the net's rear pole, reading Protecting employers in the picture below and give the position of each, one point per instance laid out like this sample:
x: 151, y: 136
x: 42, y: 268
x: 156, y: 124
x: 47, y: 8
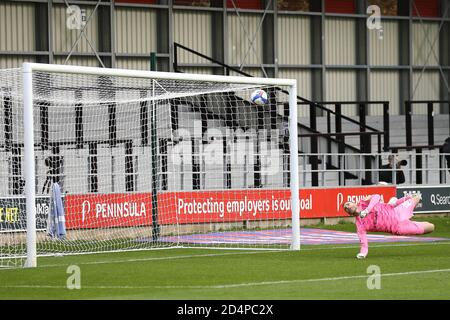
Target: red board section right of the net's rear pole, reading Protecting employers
x: 240, y: 205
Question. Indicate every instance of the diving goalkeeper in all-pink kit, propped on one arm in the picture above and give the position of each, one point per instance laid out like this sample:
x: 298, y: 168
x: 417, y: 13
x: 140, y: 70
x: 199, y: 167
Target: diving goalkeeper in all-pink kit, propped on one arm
x: 392, y: 217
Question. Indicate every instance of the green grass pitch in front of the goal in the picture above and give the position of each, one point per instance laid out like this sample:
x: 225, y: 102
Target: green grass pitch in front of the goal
x: 408, y: 271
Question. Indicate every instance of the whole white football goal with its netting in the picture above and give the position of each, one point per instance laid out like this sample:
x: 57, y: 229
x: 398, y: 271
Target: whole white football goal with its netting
x: 147, y: 160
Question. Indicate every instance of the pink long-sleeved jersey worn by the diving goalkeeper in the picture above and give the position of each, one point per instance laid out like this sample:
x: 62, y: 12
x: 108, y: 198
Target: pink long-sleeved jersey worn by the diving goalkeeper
x: 381, y: 218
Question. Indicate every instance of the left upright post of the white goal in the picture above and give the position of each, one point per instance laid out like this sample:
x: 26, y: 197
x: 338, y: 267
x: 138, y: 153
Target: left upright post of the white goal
x: 30, y: 195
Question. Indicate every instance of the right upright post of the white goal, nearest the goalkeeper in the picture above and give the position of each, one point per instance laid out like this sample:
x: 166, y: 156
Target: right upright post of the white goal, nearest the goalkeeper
x: 293, y: 138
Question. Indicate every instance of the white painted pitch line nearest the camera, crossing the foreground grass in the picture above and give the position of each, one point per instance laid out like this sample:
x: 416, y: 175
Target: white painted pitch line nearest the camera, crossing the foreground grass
x: 231, y: 286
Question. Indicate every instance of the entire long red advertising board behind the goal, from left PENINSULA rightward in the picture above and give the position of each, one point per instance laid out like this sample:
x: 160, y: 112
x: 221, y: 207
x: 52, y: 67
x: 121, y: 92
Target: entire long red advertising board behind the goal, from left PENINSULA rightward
x: 114, y: 210
